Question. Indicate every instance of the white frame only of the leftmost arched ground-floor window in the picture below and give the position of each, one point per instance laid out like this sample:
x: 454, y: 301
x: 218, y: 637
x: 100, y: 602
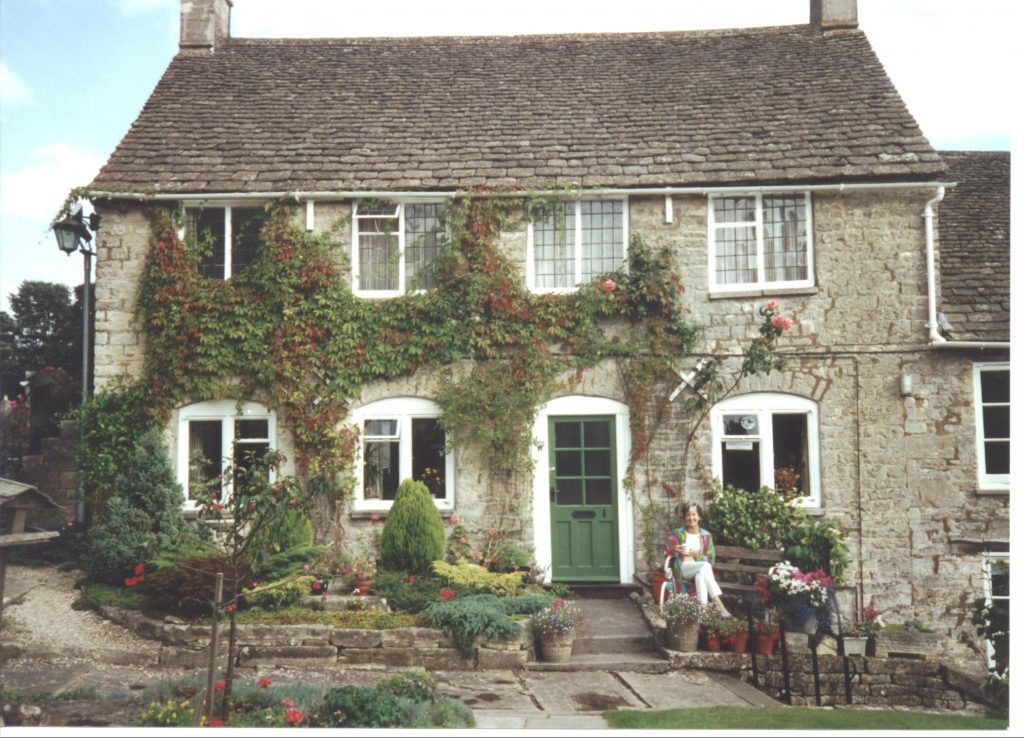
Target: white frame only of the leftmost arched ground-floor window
x: 227, y: 412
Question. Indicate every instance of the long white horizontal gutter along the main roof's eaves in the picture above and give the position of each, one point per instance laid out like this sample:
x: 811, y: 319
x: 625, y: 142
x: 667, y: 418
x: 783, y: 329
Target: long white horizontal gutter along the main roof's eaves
x: 434, y: 195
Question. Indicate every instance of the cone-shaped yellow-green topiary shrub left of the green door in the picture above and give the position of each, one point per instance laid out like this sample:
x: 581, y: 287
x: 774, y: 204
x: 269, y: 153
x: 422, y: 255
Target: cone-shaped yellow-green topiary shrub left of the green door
x: 414, y: 533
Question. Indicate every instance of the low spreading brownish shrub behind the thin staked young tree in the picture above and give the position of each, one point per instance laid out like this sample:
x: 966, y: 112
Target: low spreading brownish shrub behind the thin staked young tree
x: 187, y: 589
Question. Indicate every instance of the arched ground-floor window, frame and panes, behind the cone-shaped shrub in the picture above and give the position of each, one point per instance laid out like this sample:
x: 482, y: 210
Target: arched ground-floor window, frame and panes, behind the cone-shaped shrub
x: 403, y: 439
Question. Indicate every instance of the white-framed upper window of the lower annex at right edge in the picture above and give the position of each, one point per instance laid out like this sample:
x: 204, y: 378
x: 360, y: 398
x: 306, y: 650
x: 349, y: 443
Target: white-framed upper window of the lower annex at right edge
x: 992, y: 403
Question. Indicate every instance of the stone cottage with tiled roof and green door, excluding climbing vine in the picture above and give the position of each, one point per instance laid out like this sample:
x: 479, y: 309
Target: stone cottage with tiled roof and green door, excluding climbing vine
x: 772, y: 164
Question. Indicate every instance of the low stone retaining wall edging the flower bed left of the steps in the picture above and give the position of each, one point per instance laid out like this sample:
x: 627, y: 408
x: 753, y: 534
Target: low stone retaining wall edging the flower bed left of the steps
x: 189, y: 646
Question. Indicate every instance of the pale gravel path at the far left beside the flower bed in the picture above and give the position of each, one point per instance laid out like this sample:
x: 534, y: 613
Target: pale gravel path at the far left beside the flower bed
x: 39, y: 622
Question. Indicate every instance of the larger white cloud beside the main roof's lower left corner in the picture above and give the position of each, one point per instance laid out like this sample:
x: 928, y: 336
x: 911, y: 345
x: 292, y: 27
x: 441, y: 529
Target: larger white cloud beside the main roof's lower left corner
x: 37, y: 191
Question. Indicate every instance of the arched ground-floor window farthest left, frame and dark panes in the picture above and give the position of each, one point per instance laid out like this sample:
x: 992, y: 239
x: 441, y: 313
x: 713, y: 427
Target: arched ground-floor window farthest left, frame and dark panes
x: 216, y: 436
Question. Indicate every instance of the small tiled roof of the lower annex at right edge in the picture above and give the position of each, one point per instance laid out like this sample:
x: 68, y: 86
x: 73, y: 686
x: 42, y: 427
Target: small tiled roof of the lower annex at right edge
x: 974, y: 246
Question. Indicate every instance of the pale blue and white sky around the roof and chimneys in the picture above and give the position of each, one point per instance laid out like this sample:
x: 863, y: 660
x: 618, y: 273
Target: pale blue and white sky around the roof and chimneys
x: 74, y: 75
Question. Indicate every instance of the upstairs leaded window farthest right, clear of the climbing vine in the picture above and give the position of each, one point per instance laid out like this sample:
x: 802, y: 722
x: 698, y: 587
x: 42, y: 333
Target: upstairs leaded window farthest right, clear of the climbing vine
x: 760, y: 241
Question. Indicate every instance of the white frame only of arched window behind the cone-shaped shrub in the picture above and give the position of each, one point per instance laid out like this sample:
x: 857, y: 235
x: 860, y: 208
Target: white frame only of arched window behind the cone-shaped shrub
x: 405, y: 410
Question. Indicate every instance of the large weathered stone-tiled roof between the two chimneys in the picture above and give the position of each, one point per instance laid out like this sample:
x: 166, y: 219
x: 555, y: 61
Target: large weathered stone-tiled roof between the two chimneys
x: 530, y: 112
